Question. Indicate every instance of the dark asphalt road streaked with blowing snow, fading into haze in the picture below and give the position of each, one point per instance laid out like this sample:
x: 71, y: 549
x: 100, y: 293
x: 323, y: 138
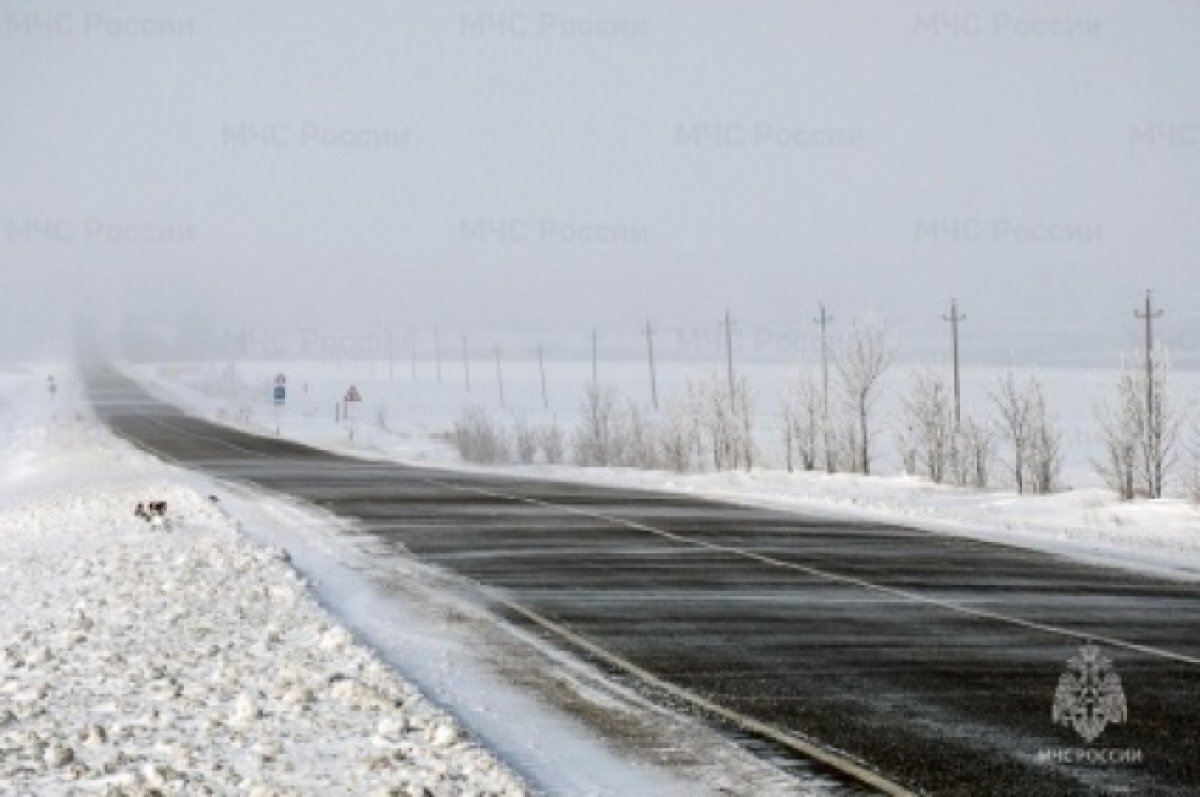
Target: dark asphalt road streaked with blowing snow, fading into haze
x: 934, y: 660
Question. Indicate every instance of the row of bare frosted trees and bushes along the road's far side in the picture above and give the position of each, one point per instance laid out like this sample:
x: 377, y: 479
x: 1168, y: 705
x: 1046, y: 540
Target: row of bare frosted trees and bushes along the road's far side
x: 831, y: 422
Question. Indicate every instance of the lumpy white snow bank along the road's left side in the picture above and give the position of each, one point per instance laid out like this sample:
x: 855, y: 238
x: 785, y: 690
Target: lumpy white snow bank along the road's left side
x: 140, y: 661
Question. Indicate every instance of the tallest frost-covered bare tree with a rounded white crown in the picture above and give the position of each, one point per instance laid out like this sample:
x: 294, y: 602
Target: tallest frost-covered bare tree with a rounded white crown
x: 862, y: 362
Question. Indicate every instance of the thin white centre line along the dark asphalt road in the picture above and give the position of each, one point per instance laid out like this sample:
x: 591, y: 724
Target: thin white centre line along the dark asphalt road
x: 983, y: 614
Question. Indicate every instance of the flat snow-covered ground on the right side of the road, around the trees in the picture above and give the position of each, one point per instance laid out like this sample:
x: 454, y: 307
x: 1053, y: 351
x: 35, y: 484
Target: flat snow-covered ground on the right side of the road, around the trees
x: 406, y: 420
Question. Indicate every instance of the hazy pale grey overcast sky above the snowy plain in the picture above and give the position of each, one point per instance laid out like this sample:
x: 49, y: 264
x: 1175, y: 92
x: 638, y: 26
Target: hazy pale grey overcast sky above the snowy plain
x: 550, y: 166
